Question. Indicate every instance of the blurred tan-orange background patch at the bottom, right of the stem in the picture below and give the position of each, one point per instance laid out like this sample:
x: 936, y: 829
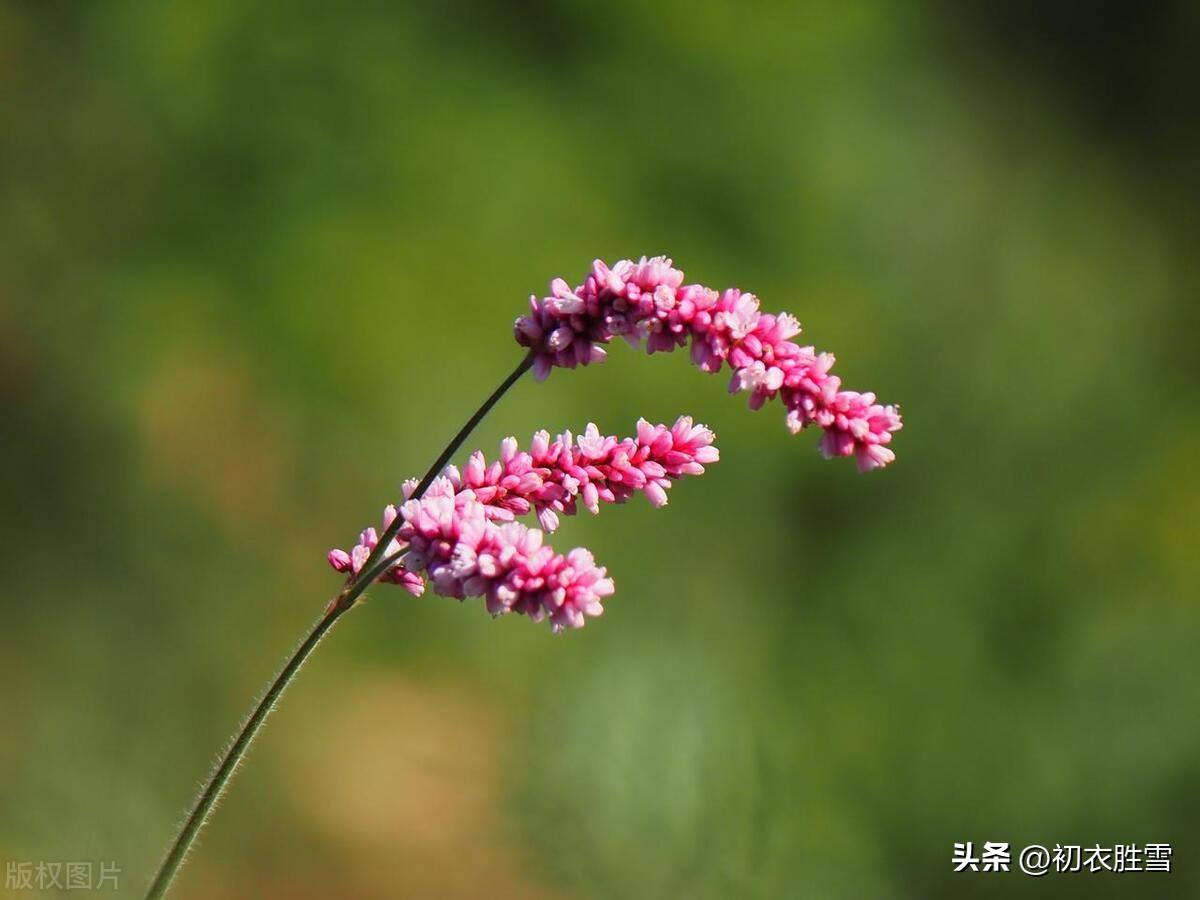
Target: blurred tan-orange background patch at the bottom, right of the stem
x: 412, y: 781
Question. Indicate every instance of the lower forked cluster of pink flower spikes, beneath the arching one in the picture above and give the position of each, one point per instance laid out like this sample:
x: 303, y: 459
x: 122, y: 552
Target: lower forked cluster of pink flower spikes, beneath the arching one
x: 461, y: 533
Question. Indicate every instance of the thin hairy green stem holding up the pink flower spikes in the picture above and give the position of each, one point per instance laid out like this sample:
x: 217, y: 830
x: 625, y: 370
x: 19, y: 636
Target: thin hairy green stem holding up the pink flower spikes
x: 345, y: 601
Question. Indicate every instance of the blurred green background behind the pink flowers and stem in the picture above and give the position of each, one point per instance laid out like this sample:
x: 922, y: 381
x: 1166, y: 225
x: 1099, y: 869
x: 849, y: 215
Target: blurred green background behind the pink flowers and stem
x: 260, y: 261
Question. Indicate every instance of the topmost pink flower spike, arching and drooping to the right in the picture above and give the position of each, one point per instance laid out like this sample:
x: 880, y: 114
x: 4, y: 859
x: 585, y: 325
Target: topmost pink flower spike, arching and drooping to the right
x: 647, y: 303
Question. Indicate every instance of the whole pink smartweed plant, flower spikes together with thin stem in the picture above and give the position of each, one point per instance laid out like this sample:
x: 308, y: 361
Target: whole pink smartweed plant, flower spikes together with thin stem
x: 458, y: 530
